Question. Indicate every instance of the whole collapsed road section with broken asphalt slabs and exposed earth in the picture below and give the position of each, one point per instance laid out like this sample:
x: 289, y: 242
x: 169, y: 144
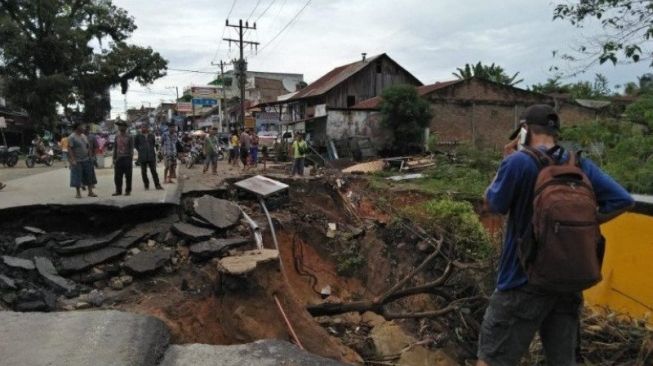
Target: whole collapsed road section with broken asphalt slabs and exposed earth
x: 233, y: 275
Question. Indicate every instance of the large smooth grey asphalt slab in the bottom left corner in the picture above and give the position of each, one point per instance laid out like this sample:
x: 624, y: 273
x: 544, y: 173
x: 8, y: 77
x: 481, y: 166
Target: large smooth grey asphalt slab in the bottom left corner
x: 81, y: 338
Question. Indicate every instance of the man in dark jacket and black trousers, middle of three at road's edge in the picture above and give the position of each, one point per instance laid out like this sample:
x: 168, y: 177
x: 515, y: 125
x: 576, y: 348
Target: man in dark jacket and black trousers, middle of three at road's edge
x: 123, y: 159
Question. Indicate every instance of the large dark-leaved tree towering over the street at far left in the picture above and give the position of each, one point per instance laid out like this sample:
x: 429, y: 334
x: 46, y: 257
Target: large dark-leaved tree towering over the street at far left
x: 47, y: 57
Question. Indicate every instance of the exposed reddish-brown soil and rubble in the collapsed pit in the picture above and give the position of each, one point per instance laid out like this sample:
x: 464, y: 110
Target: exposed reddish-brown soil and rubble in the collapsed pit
x: 339, y: 244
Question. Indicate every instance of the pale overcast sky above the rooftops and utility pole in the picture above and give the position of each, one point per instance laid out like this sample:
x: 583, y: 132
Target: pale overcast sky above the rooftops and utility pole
x: 428, y: 38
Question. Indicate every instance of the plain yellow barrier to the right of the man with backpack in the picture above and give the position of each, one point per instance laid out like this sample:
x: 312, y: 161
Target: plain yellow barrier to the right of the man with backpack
x: 627, y: 285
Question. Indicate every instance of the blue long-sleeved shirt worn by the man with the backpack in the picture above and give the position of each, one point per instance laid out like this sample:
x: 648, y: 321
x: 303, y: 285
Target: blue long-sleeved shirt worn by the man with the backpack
x: 512, y: 192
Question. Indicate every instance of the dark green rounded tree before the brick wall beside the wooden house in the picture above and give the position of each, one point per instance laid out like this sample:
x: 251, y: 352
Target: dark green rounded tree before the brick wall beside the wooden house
x: 406, y: 115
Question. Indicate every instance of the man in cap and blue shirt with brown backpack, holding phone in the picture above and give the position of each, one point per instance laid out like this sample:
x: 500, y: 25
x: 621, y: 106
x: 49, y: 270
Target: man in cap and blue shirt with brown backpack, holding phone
x: 552, y: 248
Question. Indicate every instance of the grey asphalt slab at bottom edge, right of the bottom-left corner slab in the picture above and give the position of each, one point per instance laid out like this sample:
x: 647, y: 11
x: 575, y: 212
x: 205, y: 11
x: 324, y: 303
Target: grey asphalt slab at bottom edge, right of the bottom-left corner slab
x: 269, y: 352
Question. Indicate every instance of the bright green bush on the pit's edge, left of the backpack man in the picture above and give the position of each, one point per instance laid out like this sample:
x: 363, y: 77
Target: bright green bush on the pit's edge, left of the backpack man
x: 457, y: 222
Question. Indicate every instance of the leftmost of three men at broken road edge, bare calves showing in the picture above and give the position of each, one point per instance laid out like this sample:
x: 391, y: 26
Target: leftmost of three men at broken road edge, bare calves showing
x: 81, y: 165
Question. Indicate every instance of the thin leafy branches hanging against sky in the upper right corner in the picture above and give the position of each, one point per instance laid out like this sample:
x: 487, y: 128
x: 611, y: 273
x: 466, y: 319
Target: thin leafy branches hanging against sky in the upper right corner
x: 627, y: 29
